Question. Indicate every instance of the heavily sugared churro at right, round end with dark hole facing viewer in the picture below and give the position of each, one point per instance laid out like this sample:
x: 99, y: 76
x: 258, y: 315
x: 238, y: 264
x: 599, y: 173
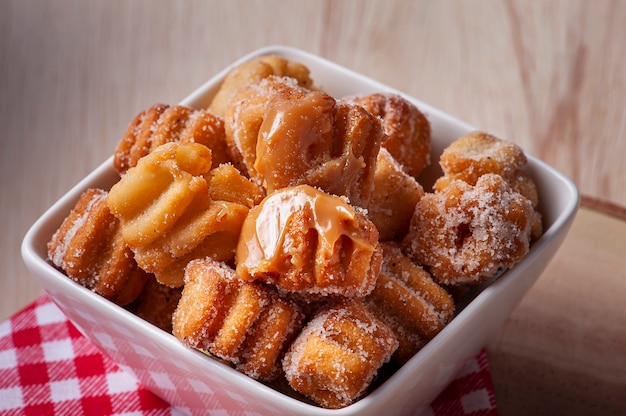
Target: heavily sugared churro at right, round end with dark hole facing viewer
x: 465, y: 233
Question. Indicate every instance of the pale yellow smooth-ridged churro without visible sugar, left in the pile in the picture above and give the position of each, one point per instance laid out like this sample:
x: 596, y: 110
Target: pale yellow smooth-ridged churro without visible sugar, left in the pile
x: 167, y: 214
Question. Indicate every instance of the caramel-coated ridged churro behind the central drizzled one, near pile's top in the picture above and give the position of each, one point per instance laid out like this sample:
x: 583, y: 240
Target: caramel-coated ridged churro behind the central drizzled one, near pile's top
x: 308, y: 138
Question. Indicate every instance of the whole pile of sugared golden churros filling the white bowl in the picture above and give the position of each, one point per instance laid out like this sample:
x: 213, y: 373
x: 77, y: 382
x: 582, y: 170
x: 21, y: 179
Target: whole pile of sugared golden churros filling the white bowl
x: 285, y: 232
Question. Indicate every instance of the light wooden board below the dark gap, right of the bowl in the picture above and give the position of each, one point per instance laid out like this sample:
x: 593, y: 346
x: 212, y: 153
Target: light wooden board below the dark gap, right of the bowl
x: 562, y: 349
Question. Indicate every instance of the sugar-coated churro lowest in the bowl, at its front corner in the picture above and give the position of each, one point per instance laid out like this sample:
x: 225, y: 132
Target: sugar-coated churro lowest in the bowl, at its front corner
x: 339, y: 352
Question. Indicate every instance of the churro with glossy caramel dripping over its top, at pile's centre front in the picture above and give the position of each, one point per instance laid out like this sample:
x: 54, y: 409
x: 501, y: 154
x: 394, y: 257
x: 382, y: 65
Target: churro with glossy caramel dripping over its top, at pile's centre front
x: 305, y: 240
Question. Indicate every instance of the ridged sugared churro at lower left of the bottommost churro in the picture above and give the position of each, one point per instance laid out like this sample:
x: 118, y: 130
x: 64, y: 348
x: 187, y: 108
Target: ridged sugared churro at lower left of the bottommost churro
x: 244, y: 323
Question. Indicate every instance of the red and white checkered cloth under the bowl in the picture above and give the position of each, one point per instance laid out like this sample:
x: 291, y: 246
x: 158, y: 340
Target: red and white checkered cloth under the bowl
x: 47, y: 367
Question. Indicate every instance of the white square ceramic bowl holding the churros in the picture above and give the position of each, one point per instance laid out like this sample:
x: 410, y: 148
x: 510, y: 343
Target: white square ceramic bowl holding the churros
x: 191, y: 380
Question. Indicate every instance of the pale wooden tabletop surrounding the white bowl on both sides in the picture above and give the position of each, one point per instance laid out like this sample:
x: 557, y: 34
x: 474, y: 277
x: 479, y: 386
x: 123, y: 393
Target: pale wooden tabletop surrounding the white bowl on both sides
x: 547, y: 75
